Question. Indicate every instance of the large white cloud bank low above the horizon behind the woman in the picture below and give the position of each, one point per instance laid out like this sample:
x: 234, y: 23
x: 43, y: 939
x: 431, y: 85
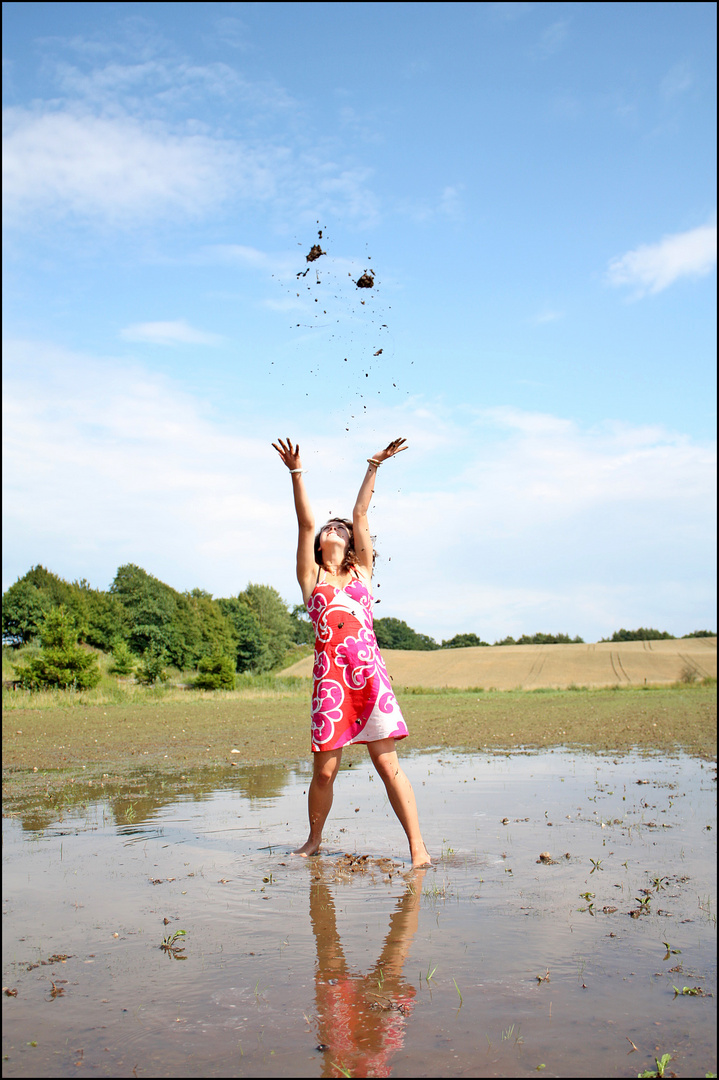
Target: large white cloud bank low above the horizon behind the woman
x: 496, y: 522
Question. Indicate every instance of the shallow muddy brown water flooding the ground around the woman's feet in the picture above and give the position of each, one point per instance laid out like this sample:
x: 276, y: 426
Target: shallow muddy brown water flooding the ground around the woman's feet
x: 491, y: 964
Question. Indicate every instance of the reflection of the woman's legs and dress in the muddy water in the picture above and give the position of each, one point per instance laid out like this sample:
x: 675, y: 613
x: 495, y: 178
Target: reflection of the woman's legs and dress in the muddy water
x: 362, y: 1019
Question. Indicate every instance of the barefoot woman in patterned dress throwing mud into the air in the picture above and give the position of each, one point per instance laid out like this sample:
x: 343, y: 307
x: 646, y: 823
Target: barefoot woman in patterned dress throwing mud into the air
x: 352, y: 700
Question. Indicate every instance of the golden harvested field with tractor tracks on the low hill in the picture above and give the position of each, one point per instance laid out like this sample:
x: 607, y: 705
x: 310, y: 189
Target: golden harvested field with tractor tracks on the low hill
x: 550, y: 667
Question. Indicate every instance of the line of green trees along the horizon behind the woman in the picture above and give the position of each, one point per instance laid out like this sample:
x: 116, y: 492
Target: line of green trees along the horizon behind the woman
x: 147, y: 627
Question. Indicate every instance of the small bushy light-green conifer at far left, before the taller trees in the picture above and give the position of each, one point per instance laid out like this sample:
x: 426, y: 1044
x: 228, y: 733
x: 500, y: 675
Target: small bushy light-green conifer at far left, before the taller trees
x: 62, y: 663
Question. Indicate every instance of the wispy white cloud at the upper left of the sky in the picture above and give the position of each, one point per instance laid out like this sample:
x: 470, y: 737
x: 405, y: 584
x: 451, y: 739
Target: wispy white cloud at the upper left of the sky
x: 127, y: 143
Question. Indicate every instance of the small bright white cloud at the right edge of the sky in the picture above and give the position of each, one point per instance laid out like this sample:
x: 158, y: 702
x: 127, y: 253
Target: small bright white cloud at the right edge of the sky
x: 654, y: 267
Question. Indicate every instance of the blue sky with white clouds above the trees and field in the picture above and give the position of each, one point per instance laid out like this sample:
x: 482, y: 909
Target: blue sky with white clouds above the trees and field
x: 534, y: 186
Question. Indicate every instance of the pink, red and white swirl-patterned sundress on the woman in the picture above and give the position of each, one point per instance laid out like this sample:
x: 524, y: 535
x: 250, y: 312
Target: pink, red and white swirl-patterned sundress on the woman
x: 352, y: 698
